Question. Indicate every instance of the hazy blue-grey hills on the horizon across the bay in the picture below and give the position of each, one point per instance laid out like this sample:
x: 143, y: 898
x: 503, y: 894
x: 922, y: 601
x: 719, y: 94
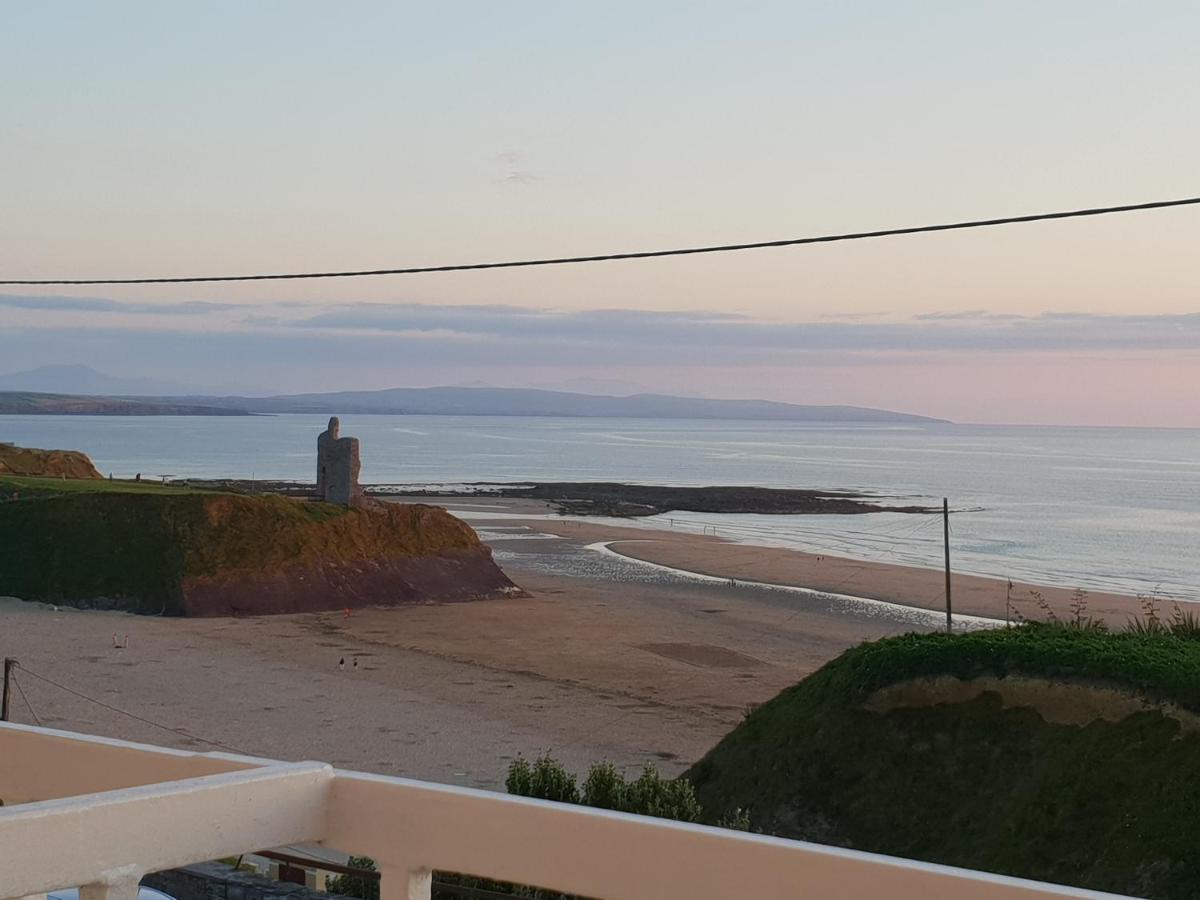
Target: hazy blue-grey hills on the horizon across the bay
x: 452, y: 401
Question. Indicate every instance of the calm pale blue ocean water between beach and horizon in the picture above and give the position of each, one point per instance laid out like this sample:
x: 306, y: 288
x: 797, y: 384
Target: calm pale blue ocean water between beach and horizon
x: 1114, y: 509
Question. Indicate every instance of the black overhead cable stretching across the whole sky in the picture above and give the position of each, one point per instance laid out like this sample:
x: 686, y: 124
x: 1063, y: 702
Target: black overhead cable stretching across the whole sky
x: 614, y: 257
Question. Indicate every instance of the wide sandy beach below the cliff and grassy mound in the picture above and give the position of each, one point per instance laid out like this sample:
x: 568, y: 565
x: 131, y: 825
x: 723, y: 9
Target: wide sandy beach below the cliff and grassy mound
x: 607, y: 658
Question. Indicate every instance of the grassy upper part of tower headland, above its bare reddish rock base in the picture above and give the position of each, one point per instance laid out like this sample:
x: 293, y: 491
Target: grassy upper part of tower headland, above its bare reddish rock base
x: 141, y: 543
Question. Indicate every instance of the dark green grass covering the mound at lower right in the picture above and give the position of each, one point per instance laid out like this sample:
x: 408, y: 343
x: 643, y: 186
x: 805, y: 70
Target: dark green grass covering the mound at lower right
x: 1108, y: 806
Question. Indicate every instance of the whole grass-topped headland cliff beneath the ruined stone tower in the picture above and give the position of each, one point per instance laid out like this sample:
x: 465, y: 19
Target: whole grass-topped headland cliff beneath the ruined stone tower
x: 196, y: 554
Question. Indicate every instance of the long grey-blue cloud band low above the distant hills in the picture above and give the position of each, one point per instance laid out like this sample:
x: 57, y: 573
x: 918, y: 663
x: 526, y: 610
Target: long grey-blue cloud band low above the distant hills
x: 502, y: 334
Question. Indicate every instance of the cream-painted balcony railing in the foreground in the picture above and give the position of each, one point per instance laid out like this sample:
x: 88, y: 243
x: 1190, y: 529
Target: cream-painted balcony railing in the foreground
x: 100, y: 814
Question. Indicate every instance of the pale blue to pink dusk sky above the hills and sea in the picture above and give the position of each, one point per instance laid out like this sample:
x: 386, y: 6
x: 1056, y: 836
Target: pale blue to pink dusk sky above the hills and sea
x: 148, y: 139
